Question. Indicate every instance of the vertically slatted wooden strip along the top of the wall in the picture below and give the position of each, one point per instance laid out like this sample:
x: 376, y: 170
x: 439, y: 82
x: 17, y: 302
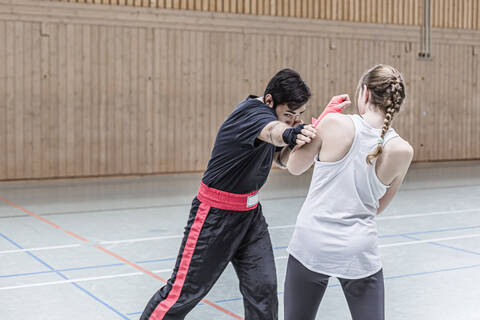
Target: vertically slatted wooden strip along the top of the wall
x: 462, y: 14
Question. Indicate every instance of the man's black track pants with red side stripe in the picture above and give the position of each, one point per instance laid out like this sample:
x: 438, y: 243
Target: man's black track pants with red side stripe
x: 212, y: 239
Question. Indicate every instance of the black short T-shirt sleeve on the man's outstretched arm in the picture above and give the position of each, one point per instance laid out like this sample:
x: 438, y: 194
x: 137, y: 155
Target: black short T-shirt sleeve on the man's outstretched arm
x: 250, y: 122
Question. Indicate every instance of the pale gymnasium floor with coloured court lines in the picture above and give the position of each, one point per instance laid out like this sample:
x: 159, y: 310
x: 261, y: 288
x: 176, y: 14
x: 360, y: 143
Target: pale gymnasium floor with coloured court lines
x: 96, y: 248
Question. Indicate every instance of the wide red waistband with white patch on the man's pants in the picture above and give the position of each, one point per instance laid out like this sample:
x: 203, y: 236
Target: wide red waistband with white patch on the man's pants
x: 227, y: 201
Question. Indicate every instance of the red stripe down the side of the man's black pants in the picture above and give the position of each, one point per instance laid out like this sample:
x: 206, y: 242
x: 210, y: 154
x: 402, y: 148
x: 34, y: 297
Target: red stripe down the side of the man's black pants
x: 187, y: 254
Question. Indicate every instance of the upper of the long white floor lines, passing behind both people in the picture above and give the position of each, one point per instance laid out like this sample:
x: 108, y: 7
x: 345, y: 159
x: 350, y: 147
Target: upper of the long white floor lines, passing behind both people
x: 381, y: 218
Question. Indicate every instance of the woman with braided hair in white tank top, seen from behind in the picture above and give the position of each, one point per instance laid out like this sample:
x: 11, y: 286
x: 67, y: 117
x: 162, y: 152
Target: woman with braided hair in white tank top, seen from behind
x: 360, y: 162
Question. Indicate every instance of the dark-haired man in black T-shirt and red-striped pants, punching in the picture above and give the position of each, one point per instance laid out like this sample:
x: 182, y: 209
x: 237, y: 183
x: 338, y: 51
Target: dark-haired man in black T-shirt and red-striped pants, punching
x: 226, y: 223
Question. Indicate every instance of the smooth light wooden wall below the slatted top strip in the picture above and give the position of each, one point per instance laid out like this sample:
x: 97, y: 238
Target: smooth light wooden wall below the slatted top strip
x: 122, y: 91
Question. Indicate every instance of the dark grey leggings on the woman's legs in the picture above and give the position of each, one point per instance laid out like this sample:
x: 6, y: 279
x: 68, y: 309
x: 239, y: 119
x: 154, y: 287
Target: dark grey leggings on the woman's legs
x: 304, y: 291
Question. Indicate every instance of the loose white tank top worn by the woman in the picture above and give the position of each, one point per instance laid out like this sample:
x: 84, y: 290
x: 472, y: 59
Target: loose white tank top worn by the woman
x: 336, y: 233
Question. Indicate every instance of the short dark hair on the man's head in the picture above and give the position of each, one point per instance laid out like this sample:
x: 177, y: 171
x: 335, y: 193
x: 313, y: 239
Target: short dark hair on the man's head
x: 286, y: 87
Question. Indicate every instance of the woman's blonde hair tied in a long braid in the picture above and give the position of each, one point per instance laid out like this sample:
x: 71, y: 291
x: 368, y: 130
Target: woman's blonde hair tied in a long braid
x: 387, y: 92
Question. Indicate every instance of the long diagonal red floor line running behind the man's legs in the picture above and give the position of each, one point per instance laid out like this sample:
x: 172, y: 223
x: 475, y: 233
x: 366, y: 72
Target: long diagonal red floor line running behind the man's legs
x: 117, y: 257
